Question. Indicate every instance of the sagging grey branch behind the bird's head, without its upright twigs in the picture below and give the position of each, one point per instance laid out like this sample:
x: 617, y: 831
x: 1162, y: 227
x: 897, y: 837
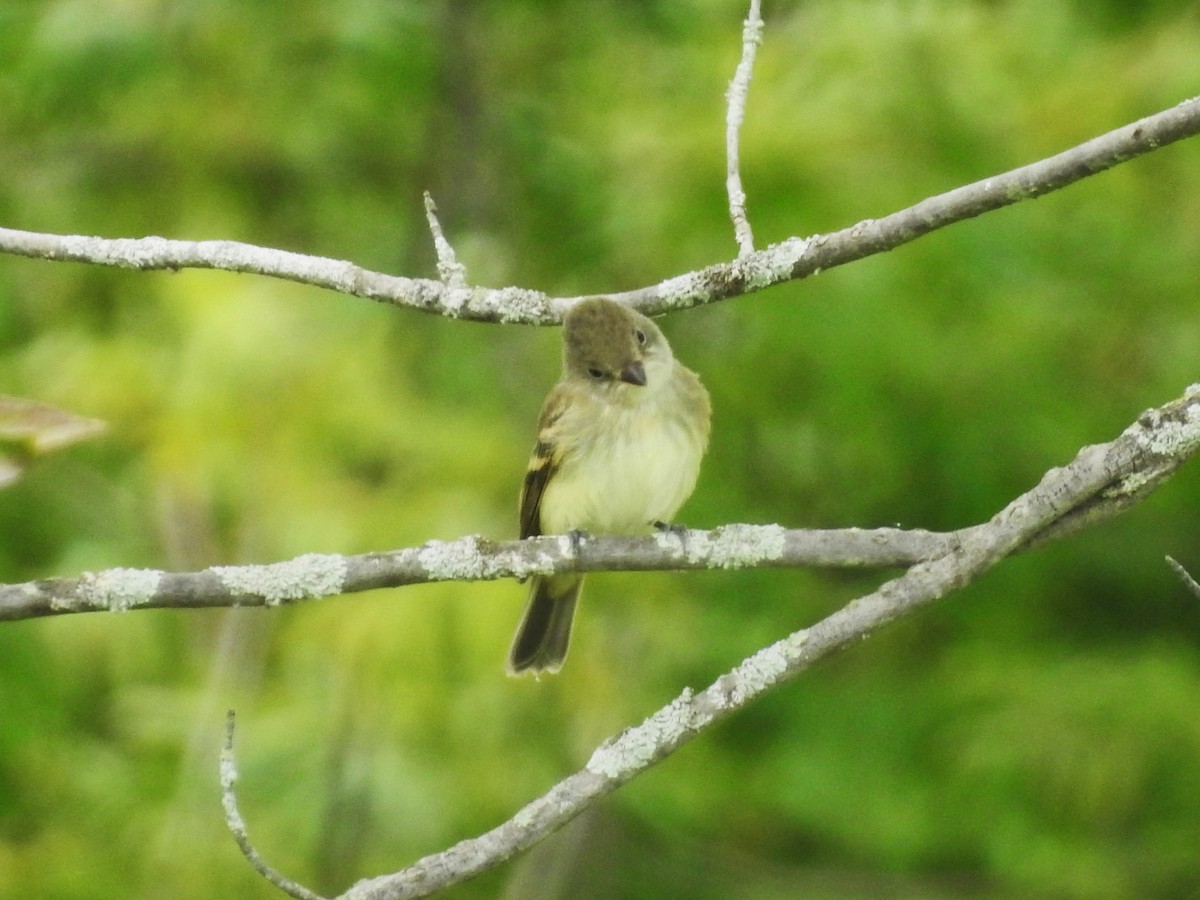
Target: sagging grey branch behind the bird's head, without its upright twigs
x: 793, y: 260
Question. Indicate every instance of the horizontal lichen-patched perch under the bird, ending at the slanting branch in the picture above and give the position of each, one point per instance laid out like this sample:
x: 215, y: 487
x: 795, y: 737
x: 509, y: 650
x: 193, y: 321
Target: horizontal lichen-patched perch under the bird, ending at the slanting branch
x: 471, y: 559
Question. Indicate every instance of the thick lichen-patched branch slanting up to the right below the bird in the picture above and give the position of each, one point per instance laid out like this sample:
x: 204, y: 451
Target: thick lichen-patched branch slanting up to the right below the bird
x: 1157, y: 435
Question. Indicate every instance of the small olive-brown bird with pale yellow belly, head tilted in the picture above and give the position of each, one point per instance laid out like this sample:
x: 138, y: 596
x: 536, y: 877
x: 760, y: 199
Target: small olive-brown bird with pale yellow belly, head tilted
x: 620, y: 443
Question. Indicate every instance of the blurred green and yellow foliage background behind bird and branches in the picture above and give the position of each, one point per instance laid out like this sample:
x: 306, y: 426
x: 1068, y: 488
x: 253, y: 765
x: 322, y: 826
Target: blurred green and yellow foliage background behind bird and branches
x: 1037, y: 735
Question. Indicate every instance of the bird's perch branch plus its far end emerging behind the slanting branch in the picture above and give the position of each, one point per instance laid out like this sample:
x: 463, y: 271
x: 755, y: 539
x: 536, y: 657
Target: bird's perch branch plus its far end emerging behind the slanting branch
x: 1171, y: 434
